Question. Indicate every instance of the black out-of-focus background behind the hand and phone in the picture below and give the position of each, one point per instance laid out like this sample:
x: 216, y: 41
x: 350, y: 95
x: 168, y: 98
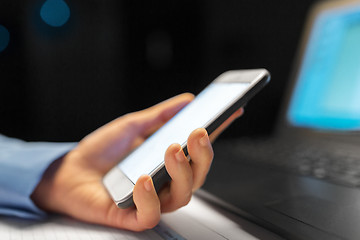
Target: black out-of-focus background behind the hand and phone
x: 114, y: 57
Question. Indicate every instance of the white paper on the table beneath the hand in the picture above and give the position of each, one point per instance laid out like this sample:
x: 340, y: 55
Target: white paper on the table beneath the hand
x: 198, y: 220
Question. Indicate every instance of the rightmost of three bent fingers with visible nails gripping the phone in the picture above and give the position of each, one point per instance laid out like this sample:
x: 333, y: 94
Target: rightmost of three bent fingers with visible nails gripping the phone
x: 201, y: 154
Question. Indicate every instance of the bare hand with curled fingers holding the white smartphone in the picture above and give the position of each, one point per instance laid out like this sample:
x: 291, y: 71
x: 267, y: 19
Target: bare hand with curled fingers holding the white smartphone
x: 73, y: 186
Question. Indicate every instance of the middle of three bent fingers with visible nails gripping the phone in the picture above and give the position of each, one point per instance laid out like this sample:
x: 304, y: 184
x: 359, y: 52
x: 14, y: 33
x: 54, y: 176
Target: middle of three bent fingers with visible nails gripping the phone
x: 179, y: 192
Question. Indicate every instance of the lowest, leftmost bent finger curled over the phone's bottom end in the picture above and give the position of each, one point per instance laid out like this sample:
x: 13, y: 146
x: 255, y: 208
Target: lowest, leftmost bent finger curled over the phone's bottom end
x: 147, y: 214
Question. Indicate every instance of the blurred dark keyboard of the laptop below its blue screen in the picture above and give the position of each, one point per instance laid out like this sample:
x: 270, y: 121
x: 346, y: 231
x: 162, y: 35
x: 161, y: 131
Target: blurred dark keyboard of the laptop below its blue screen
x: 335, y: 163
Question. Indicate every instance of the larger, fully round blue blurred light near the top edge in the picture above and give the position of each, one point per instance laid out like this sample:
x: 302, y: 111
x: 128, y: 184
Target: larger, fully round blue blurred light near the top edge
x: 55, y: 12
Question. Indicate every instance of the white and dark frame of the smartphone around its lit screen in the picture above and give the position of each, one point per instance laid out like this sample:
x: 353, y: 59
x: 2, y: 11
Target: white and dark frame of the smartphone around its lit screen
x: 257, y: 79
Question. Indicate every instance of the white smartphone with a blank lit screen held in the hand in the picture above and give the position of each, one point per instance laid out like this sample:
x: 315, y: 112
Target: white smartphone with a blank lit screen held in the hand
x: 216, y: 103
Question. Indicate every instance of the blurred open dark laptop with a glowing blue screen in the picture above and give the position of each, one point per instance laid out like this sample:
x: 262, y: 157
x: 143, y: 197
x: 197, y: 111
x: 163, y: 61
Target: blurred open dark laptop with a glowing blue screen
x: 303, y: 182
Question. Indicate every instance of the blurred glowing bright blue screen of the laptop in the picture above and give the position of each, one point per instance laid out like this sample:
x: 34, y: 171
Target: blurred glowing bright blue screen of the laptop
x: 327, y: 92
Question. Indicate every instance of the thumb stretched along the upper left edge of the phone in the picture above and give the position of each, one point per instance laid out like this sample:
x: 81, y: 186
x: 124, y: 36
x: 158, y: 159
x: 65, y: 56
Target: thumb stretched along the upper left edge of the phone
x: 114, y: 140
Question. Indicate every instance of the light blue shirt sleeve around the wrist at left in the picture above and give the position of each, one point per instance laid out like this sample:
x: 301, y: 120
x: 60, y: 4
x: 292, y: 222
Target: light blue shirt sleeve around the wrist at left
x: 22, y: 165
